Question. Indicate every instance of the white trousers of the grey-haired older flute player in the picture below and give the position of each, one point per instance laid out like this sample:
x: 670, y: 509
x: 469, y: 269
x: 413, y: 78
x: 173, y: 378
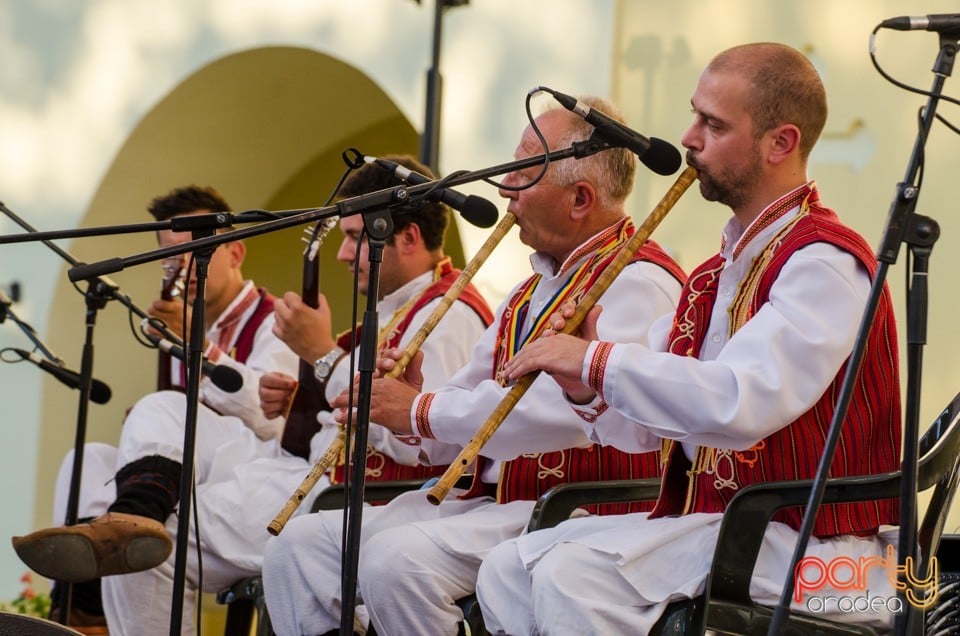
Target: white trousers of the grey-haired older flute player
x: 416, y: 560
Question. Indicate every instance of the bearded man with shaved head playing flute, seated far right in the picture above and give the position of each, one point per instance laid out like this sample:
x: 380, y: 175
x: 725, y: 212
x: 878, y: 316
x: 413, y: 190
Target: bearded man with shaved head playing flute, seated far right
x: 739, y: 387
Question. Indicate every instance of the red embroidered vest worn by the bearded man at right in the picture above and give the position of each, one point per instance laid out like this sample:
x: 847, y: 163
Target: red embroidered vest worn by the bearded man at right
x: 870, y: 441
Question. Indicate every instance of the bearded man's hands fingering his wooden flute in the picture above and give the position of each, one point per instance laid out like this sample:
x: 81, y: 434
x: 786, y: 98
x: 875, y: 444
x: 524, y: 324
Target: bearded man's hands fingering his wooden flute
x: 559, y: 355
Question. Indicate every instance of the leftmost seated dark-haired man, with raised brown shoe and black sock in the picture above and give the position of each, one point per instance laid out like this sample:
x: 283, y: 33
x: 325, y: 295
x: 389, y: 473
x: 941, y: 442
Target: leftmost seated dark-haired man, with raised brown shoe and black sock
x: 128, y: 493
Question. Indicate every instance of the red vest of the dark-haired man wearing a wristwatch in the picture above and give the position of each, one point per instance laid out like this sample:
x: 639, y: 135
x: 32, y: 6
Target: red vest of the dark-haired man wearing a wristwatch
x: 382, y: 467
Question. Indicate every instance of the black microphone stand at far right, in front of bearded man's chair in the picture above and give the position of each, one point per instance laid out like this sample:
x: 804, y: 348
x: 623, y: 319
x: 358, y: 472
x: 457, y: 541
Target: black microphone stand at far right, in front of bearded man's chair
x: 920, y: 233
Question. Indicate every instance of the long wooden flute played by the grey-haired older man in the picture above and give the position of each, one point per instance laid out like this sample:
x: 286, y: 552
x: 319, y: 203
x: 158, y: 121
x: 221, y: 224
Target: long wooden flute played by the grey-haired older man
x: 336, y: 447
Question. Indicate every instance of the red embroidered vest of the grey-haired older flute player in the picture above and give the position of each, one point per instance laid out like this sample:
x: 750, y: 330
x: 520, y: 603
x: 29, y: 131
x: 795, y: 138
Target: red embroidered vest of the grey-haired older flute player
x: 529, y: 476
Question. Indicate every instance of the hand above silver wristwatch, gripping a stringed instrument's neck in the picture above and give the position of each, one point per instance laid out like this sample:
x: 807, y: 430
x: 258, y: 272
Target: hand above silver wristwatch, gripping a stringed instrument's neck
x: 307, y: 331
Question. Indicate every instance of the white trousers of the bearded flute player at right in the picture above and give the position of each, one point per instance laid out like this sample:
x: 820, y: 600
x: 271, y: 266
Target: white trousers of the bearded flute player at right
x: 616, y: 574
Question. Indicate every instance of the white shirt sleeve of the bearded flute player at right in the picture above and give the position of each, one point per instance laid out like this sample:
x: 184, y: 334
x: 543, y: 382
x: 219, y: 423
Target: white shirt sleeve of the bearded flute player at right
x: 772, y: 370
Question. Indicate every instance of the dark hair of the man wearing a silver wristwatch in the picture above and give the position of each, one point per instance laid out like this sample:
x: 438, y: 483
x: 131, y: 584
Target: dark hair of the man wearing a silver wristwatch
x: 432, y: 217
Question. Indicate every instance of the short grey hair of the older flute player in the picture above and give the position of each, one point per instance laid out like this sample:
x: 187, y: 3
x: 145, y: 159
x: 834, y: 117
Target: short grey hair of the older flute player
x: 610, y: 171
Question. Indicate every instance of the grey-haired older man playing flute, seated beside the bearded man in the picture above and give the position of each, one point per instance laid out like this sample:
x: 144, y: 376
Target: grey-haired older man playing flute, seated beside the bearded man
x: 416, y: 558
